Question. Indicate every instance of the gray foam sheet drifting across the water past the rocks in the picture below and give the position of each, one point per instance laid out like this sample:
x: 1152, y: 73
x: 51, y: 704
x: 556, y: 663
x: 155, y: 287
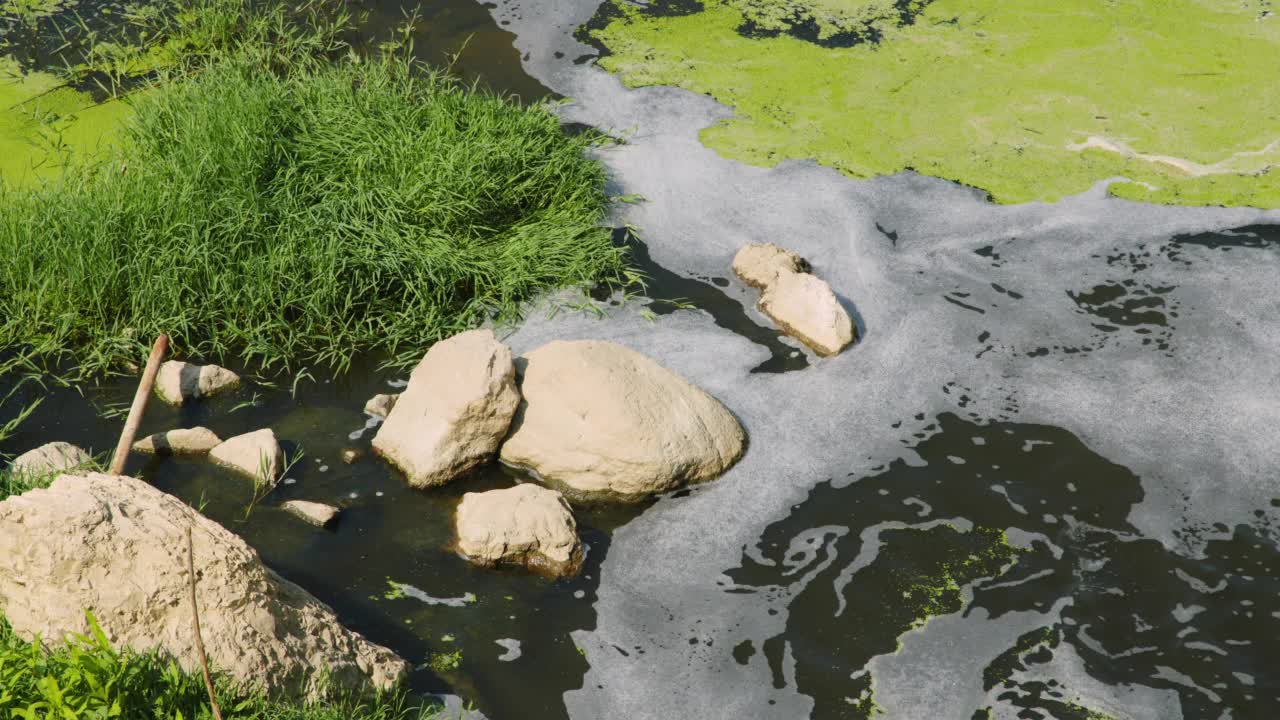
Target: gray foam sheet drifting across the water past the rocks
x: 1197, y: 426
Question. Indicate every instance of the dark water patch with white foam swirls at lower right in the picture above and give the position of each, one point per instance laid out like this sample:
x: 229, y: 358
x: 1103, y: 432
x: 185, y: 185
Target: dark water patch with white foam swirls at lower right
x: 866, y: 563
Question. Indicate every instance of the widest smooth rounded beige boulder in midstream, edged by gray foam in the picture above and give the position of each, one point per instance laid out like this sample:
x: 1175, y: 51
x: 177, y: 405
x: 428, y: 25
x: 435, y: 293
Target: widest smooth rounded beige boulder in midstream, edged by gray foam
x: 601, y: 421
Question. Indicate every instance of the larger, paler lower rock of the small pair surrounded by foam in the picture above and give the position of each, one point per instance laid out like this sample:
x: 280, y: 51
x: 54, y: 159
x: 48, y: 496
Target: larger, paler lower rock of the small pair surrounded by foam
x: 806, y: 308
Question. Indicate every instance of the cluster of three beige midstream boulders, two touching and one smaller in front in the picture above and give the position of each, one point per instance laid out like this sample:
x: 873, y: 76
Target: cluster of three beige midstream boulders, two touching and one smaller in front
x: 596, y: 421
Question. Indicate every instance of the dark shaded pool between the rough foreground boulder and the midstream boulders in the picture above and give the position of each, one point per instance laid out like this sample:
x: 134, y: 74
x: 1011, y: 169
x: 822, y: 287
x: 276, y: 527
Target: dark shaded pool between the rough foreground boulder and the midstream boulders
x: 386, y: 568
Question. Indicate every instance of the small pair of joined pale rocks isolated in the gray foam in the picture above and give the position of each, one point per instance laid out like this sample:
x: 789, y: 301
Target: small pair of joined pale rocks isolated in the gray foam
x: 802, y: 304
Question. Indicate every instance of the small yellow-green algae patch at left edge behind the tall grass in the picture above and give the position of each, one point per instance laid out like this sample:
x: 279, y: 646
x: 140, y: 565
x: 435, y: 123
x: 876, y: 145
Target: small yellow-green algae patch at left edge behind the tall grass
x: 43, y: 122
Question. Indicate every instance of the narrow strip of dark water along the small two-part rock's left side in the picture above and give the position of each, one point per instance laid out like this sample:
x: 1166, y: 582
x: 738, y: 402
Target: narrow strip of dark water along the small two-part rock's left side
x: 671, y: 291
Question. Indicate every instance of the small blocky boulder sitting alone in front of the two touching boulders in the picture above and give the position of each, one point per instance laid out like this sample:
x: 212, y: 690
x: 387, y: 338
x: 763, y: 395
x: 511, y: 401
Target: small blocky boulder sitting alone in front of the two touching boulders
x: 527, y: 526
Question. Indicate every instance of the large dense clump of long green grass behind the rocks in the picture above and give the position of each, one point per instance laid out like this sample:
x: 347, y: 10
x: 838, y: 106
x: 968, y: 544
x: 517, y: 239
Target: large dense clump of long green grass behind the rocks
x: 301, y: 216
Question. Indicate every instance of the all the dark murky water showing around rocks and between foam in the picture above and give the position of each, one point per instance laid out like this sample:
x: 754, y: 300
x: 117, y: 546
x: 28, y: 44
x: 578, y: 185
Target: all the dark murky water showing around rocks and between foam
x: 1078, y: 607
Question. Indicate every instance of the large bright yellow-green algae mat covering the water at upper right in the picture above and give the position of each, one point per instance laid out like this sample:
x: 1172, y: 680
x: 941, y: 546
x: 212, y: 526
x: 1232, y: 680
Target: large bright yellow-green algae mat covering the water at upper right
x: 1032, y: 101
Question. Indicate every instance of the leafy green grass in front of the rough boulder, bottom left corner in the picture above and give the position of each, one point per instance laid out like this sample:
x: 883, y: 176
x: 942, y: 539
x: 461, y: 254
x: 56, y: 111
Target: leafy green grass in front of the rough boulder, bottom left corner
x: 86, y: 678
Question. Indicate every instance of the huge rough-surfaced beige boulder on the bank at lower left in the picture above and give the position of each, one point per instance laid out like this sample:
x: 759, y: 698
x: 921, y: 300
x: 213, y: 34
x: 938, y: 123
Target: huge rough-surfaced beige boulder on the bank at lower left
x: 117, y: 546
